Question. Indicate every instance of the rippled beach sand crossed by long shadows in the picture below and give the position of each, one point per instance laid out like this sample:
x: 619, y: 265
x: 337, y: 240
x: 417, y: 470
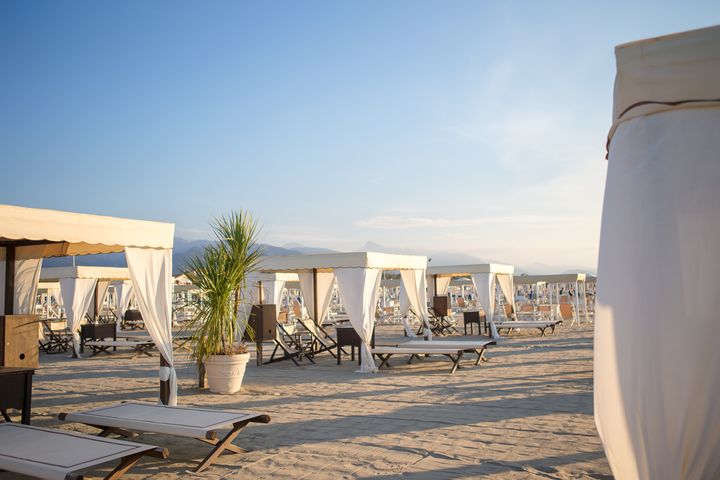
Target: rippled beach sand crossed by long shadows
x: 528, y: 413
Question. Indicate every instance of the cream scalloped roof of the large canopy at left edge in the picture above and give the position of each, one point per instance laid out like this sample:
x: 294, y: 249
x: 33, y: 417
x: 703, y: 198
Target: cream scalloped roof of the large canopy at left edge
x: 68, y: 233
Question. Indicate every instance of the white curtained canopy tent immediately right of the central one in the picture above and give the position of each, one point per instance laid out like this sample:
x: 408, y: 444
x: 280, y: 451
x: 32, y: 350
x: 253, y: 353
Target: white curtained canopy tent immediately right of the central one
x: 484, y: 277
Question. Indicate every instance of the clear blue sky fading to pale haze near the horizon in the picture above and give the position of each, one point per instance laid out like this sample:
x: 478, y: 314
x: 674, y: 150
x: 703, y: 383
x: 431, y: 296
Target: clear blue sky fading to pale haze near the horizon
x: 474, y: 127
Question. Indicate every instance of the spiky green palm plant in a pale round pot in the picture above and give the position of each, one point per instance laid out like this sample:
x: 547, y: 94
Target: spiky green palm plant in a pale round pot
x: 220, y: 273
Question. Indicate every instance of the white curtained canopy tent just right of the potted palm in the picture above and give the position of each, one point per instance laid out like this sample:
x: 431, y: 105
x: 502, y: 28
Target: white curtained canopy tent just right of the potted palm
x: 358, y: 277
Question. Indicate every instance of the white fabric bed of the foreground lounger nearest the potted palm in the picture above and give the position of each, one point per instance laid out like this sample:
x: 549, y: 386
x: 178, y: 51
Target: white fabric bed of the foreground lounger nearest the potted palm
x: 147, y: 417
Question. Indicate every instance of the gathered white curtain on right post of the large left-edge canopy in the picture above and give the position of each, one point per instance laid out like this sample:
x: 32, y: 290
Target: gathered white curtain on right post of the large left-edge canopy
x: 151, y: 274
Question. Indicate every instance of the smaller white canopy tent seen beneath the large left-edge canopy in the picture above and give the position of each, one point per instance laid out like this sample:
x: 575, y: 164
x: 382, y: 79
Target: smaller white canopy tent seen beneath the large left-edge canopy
x: 80, y: 285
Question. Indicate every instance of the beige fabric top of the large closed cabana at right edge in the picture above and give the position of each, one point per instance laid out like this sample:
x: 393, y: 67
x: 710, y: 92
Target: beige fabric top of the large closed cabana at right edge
x: 672, y: 71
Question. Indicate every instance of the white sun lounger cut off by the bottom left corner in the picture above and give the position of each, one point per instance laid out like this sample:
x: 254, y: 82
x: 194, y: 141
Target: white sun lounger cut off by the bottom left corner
x: 55, y: 454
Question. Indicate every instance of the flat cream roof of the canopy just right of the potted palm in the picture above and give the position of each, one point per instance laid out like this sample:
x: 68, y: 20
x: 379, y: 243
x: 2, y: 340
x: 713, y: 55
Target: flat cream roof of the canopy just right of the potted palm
x: 326, y: 262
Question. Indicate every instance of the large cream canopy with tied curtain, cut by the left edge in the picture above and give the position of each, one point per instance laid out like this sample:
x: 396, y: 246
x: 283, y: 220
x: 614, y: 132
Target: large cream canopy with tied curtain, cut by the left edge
x: 27, y: 235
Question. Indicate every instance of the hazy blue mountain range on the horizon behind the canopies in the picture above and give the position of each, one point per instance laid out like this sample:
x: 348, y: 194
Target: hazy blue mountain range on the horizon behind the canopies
x: 185, y: 249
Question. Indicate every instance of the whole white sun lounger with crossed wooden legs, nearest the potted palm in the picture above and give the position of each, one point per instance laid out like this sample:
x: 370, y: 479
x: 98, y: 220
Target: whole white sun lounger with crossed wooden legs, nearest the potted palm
x: 199, y: 423
